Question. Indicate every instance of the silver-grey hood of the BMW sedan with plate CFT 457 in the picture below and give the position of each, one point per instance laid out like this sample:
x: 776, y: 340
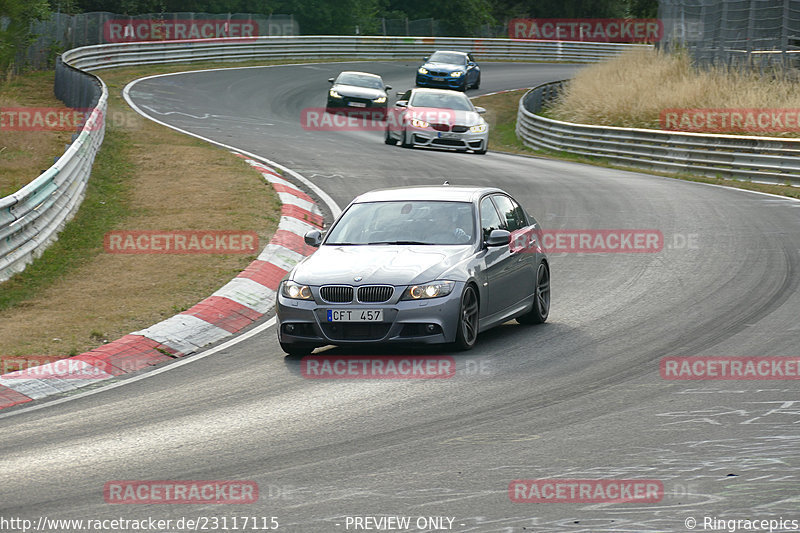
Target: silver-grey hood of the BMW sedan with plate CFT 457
x: 385, y: 264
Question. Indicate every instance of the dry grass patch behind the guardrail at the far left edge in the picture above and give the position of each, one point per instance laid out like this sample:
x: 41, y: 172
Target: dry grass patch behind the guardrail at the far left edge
x: 24, y: 154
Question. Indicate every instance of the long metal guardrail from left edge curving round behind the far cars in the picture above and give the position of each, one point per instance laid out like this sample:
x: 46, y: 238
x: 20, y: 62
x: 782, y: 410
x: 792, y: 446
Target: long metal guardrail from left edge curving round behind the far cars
x: 31, y: 217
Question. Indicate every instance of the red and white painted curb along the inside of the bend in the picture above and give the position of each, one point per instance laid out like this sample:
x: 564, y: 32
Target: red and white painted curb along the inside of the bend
x: 242, y: 301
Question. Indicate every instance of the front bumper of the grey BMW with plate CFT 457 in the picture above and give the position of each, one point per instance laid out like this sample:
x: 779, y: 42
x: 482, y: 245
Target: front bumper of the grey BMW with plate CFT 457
x: 430, y: 321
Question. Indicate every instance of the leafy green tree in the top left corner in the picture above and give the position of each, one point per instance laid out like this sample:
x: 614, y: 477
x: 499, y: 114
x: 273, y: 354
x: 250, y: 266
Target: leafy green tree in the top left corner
x: 16, y: 17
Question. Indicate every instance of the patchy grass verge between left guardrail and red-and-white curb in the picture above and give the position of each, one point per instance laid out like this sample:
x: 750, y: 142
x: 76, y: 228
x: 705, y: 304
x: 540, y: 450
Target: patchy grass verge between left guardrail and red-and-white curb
x: 76, y: 296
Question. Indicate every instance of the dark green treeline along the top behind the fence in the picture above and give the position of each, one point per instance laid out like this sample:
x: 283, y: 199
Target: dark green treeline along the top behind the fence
x: 320, y: 17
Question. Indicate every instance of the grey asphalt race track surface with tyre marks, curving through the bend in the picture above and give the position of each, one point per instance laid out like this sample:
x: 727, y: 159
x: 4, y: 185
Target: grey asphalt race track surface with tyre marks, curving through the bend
x: 577, y: 398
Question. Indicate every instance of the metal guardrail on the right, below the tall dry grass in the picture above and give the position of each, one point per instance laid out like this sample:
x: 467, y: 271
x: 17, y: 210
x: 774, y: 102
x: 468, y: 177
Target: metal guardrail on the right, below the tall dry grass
x: 766, y: 159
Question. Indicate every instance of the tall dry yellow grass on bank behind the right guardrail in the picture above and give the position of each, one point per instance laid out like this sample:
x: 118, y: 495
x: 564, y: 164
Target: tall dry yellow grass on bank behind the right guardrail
x: 632, y: 89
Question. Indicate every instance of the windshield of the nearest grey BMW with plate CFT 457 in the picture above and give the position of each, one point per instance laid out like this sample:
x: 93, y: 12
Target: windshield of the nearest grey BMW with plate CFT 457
x: 405, y: 222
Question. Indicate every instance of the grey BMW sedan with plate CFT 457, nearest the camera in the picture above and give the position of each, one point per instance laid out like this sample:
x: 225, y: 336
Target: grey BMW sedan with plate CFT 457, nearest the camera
x: 416, y: 264
